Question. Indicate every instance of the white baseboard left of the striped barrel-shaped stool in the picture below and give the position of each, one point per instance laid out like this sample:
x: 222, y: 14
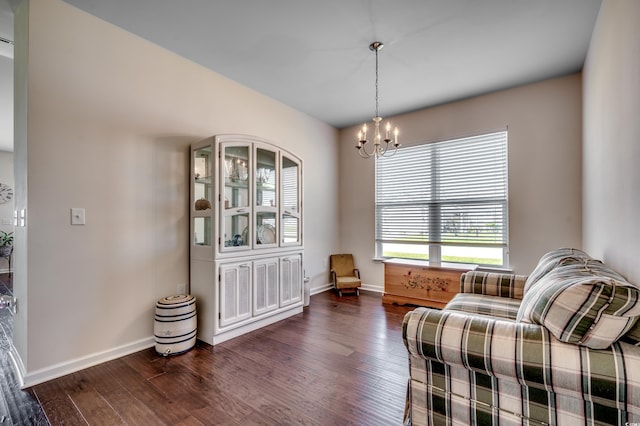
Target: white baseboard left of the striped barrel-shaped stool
x: 58, y: 370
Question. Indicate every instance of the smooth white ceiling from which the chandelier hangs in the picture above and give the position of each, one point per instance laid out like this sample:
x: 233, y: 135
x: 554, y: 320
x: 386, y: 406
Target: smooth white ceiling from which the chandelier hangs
x: 315, y: 57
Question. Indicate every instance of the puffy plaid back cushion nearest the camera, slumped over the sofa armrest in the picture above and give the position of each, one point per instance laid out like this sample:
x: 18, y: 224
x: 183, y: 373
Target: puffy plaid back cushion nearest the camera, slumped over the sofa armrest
x: 587, y: 304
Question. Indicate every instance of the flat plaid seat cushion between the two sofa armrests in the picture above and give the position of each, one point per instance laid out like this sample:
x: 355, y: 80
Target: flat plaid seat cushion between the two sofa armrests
x: 495, y: 306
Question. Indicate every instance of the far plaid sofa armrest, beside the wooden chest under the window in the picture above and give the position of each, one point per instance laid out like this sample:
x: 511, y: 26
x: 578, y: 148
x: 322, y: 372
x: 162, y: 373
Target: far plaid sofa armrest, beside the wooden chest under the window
x: 493, y: 284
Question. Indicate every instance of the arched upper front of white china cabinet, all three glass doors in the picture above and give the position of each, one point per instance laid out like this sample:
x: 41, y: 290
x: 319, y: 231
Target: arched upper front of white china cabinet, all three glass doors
x: 257, y: 196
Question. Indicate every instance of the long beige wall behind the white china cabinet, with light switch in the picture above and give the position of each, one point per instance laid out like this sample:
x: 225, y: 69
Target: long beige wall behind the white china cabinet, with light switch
x: 109, y: 120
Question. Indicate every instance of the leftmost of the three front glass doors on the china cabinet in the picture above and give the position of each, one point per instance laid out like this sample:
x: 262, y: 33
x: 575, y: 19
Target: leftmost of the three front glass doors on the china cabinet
x: 235, y: 197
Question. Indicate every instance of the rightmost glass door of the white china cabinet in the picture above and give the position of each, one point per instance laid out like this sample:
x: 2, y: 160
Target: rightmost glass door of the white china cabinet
x: 291, y: 219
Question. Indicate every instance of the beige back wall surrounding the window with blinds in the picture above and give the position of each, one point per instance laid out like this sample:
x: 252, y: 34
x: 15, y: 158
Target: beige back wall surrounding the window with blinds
x: 544, y: 123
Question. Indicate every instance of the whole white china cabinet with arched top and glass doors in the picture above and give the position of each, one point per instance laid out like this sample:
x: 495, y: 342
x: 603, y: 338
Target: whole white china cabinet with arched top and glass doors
x: 246, y: 235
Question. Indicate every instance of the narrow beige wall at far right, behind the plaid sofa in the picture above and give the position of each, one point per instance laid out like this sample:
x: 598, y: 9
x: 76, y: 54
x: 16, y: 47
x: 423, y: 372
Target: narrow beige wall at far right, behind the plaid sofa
x: 612, y: 138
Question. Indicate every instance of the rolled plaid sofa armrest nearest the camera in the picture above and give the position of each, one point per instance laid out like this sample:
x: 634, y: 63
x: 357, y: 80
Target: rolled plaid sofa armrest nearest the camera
x: 525, y: 353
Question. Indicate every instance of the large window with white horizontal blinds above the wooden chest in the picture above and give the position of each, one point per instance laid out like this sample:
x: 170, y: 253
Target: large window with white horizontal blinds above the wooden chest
x: 445, y: 201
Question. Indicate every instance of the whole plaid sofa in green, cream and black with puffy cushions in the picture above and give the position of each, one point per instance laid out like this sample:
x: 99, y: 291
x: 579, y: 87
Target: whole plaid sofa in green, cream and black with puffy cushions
x: 557, y: 347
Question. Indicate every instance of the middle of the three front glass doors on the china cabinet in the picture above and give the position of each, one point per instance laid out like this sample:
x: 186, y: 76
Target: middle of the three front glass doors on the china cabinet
x: 266, y: 197
